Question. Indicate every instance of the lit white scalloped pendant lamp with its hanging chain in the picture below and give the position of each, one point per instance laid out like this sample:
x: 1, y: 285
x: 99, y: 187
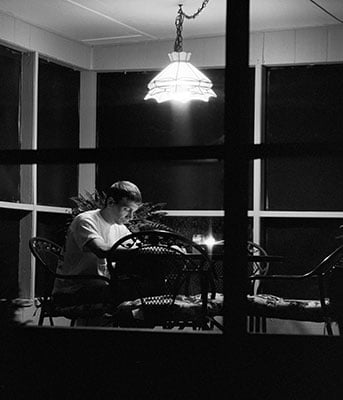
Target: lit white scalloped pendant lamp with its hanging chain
x: 180, y: 80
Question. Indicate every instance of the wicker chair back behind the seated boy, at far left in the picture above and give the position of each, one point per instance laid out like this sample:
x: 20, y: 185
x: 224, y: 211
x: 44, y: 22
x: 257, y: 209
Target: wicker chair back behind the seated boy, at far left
x: 48, y: 255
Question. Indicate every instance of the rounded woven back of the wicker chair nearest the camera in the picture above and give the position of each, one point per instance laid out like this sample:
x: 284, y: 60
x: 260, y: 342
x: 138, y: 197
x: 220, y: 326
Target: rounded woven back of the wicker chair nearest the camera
x: 162, y: 265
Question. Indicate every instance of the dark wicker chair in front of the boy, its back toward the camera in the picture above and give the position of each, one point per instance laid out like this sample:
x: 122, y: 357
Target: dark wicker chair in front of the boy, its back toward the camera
x: 172, y: 279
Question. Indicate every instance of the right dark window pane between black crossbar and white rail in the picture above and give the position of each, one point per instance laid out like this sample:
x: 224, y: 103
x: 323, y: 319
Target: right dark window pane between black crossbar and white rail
x: 308, y: 183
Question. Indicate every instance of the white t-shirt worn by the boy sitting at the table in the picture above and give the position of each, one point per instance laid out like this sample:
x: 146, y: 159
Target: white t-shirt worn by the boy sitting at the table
x: 78, y: 260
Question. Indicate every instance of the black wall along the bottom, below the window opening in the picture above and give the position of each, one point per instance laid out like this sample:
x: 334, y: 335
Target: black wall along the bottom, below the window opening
x: 84, y: 364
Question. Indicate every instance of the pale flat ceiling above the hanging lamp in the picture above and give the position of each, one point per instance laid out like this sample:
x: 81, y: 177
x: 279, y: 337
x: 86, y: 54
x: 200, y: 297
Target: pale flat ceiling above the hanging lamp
x: 107, y: 22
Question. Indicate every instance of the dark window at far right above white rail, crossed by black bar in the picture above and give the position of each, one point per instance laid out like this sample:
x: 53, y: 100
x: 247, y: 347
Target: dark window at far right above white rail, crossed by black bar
x: 303, y: 105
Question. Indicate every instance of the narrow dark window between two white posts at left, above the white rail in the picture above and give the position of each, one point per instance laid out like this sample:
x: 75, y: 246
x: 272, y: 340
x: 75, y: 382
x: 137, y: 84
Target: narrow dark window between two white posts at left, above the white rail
x: 58, y: 127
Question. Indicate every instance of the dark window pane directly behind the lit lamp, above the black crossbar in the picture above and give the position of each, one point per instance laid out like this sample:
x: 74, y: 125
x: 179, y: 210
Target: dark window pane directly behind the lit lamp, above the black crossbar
x: 126, y: 119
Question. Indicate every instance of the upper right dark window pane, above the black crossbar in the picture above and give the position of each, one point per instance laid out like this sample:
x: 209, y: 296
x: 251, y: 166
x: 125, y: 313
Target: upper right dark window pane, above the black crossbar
x: 304, y: 104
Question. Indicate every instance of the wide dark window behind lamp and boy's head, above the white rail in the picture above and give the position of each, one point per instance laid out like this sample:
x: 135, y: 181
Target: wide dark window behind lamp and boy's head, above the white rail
x: 124, y: 118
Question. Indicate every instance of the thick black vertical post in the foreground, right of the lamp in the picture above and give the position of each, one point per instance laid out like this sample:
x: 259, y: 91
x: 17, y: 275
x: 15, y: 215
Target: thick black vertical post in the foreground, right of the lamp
x: 236, y: 167
